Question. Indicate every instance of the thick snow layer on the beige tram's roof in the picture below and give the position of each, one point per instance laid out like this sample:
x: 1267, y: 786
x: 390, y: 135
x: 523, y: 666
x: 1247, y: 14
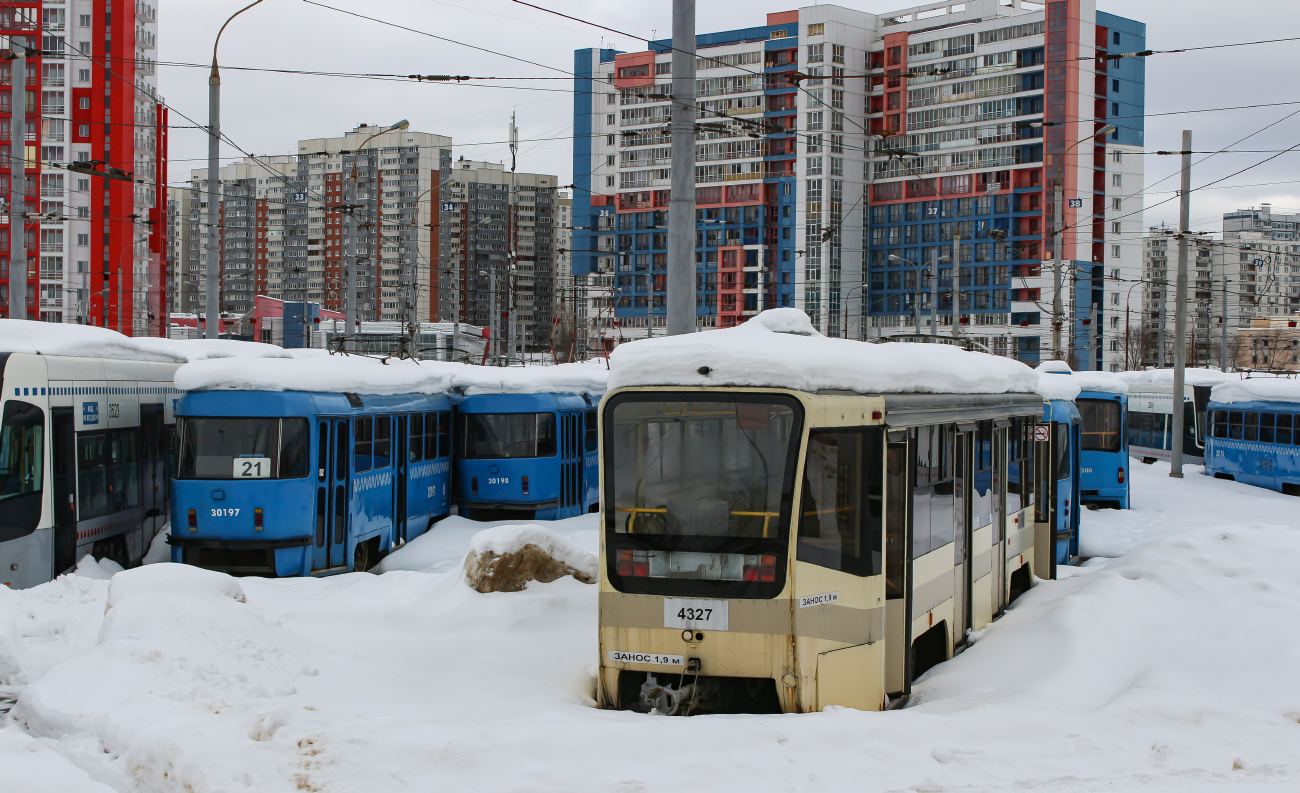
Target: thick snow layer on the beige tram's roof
x: 782, y: 349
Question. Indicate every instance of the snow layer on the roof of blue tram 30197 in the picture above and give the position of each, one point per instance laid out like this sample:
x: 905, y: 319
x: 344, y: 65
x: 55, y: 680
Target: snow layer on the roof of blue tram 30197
x: 332, y: 374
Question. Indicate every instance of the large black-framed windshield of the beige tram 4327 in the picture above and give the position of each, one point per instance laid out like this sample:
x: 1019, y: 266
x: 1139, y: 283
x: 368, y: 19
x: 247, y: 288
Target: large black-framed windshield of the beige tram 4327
x: 700, y: 488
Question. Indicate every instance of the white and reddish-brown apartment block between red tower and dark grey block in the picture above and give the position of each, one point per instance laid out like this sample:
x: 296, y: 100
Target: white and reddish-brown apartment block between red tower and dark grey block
x: 293, y: 226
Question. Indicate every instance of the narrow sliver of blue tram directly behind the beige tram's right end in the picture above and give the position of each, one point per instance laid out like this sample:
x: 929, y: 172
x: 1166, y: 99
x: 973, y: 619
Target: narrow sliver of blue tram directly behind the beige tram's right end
x: 1058, y: 483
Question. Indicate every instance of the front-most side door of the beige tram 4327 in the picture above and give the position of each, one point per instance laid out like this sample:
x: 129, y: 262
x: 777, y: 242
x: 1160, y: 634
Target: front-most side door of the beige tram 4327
x: 898, y: 565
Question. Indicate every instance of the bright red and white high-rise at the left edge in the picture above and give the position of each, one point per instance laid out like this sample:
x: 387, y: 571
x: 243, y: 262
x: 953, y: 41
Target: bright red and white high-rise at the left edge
x: 94, y: 239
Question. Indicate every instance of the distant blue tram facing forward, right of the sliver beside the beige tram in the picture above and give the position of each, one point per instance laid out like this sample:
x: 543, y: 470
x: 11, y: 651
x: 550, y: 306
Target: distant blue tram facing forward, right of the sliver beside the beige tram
x: 1103, y: 449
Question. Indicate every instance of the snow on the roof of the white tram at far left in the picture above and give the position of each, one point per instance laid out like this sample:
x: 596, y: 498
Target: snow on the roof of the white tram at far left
x: 89, y: 341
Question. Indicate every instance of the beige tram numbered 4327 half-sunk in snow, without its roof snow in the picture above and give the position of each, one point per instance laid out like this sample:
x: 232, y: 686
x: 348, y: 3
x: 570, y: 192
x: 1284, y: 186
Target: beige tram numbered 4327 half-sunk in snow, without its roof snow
x: 779, y: 551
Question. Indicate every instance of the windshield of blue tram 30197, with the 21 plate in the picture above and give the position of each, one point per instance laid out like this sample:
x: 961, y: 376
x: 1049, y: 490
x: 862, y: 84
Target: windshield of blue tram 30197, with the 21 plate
x: 233, y: 449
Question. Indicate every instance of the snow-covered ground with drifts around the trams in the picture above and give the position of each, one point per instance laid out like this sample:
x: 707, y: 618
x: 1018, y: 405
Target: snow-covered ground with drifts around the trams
x: 1171, y: 669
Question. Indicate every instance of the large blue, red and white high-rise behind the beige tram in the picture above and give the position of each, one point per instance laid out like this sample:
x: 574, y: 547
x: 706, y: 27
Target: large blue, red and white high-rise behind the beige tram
x: 846, y: 159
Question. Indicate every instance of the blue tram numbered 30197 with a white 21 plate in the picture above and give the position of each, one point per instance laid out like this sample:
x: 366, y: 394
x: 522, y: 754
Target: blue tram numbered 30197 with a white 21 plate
x: 296, y: 483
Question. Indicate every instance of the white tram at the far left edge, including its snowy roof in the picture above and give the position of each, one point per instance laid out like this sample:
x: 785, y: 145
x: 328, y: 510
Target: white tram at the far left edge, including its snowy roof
x: 86, y: 427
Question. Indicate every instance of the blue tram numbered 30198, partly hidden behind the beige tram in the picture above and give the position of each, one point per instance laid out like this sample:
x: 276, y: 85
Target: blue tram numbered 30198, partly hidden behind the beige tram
x: 527, y: 457
